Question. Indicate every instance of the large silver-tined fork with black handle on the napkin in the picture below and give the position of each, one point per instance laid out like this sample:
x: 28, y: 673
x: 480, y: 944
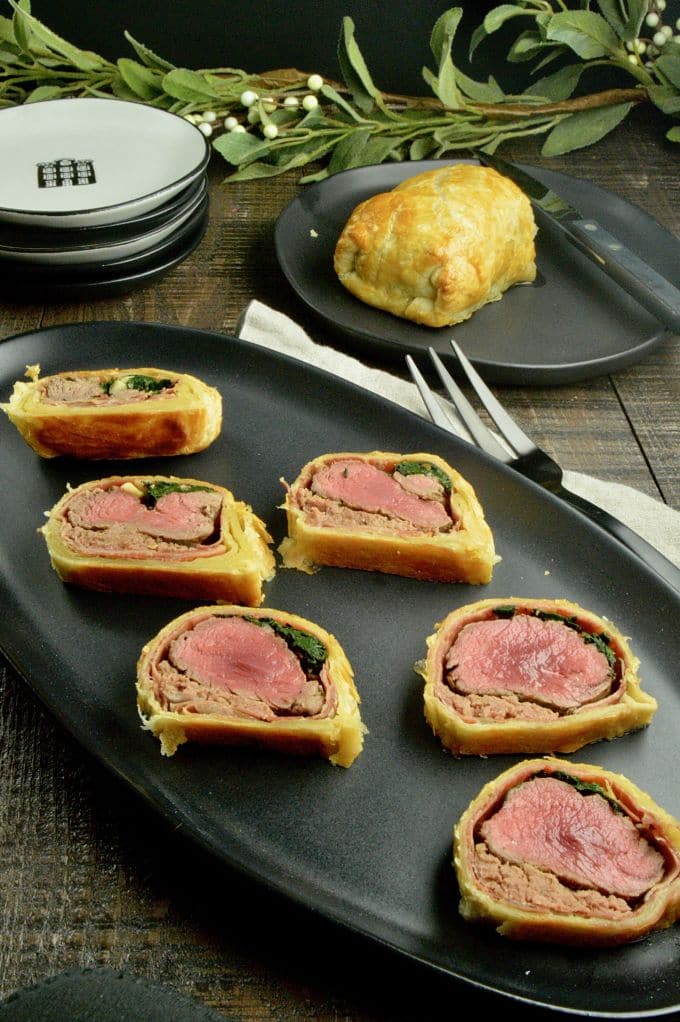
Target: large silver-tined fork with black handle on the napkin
x: 523, y: 455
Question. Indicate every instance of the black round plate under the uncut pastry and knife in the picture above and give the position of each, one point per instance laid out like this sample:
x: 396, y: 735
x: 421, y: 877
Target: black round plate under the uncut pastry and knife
x: 573, y: 324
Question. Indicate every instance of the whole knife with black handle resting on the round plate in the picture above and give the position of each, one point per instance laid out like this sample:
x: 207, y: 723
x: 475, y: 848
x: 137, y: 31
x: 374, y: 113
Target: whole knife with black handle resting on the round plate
x: 653, y: 292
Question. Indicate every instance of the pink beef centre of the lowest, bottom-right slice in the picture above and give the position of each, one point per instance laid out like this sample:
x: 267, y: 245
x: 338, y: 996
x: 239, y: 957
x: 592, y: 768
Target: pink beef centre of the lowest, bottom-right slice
x: 549, y: 824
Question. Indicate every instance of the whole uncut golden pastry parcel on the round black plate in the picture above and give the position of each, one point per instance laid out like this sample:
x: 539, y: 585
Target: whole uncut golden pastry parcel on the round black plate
x: 439, y: 246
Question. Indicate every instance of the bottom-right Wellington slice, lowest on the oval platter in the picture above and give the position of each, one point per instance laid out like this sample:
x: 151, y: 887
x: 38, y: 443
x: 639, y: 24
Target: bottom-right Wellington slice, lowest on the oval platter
x: 568, y: 854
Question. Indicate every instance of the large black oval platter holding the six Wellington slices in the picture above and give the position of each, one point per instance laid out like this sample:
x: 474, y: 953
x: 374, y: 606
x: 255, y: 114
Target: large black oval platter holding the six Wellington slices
x: 370, y: 848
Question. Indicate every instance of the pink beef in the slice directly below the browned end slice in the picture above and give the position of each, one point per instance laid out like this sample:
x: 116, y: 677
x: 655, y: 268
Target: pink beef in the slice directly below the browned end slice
x: 190, y: 518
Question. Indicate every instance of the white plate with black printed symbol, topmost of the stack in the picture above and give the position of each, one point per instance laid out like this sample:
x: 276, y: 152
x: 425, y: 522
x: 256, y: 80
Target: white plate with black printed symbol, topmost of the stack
x: 74, y: 163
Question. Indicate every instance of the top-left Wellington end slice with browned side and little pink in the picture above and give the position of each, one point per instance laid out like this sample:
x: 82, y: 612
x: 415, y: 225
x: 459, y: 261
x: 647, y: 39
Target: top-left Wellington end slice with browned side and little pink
x: 115, y: 413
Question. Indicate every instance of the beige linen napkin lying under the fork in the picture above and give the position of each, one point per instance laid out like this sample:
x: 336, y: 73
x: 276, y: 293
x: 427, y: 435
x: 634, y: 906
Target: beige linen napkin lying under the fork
x: 651, y: 519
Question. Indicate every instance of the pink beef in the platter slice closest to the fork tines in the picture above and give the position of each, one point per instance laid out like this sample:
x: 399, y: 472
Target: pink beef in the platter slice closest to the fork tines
x: 364, y: 487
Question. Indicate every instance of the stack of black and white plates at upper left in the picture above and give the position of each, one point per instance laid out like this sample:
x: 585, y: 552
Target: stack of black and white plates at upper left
x: 97, y: 197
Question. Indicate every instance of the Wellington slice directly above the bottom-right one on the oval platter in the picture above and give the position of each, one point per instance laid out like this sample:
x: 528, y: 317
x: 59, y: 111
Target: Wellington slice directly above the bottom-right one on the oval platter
x: 483, y: 695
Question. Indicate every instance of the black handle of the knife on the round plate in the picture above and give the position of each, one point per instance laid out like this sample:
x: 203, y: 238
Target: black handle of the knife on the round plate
x: 653, y: 292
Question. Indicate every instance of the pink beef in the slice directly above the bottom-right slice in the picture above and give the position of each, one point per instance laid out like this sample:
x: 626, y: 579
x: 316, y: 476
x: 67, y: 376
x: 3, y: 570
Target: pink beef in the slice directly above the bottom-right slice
x: 541, y: 661
